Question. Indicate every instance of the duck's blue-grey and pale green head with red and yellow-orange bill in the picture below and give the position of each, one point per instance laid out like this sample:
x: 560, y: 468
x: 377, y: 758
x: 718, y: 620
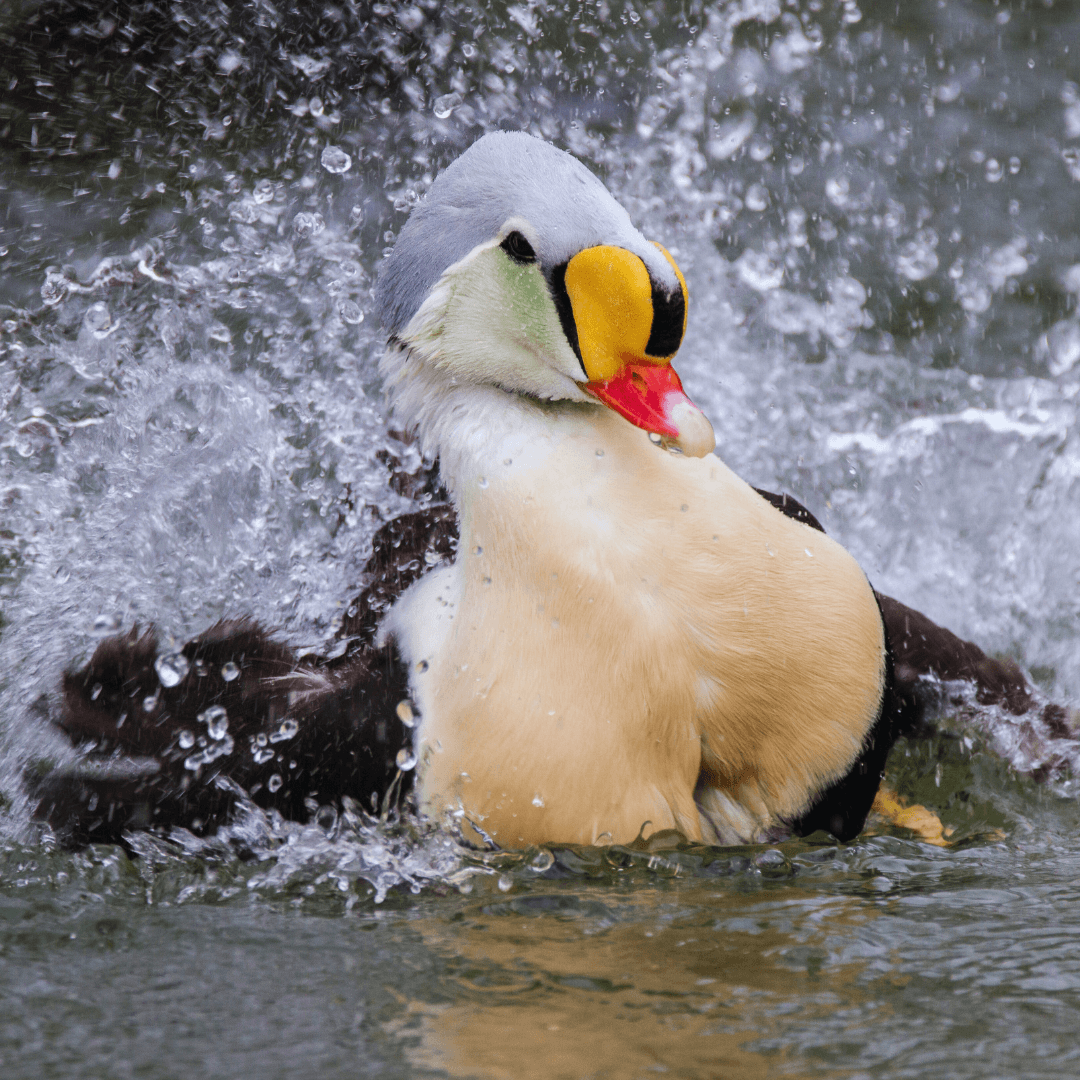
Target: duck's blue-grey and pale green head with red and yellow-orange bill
x: 521, y: 272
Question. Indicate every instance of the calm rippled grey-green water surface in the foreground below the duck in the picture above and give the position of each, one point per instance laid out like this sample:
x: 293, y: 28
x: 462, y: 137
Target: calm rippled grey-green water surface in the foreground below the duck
x: 884, y: 957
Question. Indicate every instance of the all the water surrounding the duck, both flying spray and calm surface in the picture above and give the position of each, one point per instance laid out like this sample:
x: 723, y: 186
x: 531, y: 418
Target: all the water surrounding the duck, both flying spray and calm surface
x: 874, y: 207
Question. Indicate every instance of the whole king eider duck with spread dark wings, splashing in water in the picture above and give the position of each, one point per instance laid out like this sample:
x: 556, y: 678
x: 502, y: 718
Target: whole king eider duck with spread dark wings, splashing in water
x: 604, y: 633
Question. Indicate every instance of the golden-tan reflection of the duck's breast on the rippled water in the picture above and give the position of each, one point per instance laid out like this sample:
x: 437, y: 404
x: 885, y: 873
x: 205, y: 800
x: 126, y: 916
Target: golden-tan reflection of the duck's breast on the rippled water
x: 556, y: 985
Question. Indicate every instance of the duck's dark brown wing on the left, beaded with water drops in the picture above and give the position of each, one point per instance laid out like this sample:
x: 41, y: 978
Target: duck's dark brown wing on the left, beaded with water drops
x: 237, y: 709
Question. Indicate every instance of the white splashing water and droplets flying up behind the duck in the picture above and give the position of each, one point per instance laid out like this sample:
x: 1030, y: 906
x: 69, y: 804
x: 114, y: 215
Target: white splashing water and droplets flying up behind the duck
x: 884, y: 321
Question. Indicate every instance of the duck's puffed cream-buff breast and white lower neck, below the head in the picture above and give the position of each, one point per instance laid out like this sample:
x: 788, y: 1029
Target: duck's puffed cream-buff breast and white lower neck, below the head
x: 632, y: 639
